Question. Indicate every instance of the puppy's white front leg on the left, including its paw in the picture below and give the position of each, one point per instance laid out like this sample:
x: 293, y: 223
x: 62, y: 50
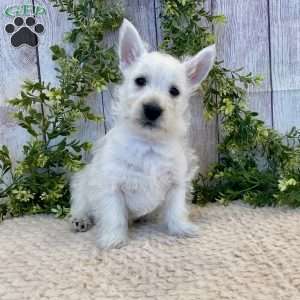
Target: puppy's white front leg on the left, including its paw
x: 111, y: 220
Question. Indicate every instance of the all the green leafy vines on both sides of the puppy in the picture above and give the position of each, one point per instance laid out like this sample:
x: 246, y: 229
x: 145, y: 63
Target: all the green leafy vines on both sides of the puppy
x: 256, y: 164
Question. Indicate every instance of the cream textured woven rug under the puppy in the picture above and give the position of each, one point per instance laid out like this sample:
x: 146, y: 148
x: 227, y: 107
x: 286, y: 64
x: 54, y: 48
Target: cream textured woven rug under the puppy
x: 241, y: 253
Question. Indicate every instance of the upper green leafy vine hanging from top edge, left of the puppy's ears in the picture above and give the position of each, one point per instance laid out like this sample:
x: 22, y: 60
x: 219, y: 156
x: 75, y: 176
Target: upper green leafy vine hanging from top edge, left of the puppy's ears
x: 92, y: 64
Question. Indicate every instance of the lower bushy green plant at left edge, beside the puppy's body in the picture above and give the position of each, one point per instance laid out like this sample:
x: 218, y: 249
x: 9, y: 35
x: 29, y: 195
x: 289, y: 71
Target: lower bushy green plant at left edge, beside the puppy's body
x: 39, y: 182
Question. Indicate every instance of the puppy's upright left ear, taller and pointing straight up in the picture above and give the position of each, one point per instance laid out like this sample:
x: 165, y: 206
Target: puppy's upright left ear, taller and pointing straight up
x: 131, y: 46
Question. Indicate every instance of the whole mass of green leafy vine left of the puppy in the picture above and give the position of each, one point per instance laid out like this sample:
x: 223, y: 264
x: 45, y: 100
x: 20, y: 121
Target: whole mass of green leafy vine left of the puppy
x: 39, y: 183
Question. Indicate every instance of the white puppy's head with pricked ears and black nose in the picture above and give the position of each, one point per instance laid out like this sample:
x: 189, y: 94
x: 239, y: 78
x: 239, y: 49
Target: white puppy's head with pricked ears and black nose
x: 156, y: 87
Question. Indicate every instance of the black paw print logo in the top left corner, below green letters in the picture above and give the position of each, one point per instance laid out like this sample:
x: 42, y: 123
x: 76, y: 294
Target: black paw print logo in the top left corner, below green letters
x: 24, y: 32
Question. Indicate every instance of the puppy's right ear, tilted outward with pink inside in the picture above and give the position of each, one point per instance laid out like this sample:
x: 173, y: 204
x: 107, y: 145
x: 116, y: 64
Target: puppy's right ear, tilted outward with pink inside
x: 198, y: 67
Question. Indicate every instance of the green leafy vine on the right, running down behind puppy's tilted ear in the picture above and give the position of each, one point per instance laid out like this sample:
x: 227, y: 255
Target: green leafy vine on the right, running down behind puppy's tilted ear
x: 256, y: 163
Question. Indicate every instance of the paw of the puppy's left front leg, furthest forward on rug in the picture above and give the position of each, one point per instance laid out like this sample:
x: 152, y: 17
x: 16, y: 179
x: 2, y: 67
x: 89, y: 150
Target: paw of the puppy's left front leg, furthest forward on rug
x: 109, y: 240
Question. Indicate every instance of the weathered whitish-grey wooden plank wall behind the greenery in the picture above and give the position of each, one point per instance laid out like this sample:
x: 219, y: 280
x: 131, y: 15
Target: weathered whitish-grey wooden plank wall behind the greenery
x: 261, y: 35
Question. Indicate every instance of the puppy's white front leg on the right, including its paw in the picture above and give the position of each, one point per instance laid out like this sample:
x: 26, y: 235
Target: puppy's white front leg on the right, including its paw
x: 175, y: 214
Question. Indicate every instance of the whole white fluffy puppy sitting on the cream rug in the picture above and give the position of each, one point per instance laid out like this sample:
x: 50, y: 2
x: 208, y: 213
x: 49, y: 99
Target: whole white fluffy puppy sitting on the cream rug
x: 144, y: 163
